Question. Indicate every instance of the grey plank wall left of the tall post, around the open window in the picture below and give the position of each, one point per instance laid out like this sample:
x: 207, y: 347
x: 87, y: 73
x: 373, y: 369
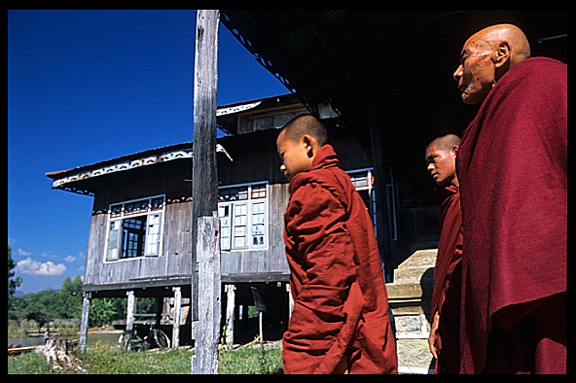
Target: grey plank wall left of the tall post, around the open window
x: 174, y: 261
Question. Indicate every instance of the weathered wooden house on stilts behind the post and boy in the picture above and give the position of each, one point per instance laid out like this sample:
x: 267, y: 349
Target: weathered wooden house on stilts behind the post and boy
x: 140, y: 238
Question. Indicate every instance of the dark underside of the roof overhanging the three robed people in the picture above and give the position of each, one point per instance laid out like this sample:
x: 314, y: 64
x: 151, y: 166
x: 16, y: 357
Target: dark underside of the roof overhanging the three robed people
x: 386, y: 68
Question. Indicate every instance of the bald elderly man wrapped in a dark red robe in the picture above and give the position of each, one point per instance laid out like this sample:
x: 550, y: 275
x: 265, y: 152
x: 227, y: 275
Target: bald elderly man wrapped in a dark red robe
x: 512, y: 173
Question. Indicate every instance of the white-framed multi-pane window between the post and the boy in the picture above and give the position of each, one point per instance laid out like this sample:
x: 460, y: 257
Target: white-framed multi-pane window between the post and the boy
x: 243, y: 217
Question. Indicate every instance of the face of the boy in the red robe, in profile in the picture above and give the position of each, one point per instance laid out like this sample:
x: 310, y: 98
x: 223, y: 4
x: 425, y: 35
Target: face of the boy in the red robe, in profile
x: 295, y: 155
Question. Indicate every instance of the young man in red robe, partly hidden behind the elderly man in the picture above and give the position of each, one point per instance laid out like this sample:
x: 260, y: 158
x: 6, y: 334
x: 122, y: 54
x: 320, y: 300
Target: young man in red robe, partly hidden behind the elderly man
x: 444, y: 339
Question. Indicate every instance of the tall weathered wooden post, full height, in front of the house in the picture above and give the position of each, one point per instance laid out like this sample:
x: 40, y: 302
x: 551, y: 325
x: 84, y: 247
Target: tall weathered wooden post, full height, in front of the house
x: 205, y: 321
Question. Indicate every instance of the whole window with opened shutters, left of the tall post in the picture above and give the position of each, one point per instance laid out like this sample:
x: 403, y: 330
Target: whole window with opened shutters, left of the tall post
x: 135, y: 228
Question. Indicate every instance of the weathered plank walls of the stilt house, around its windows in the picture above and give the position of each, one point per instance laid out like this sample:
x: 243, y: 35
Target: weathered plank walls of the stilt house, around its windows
x: 254, y: 160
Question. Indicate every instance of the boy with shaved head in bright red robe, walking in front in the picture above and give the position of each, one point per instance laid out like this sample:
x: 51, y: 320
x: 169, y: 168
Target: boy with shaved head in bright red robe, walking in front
x: 340, y: 318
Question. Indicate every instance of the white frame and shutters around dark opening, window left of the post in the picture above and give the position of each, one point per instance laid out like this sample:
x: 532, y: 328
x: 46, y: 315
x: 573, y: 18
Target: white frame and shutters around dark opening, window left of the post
x: 153, y: 227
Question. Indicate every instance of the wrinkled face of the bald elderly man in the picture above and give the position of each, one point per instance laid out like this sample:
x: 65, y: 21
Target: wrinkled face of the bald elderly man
x: 476, y: 72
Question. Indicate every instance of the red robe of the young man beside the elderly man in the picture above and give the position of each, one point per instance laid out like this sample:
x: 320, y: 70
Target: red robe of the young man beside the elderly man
x: 447, y: 284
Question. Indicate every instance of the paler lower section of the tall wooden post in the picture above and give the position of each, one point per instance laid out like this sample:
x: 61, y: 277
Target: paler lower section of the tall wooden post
x: 206, y: 331
